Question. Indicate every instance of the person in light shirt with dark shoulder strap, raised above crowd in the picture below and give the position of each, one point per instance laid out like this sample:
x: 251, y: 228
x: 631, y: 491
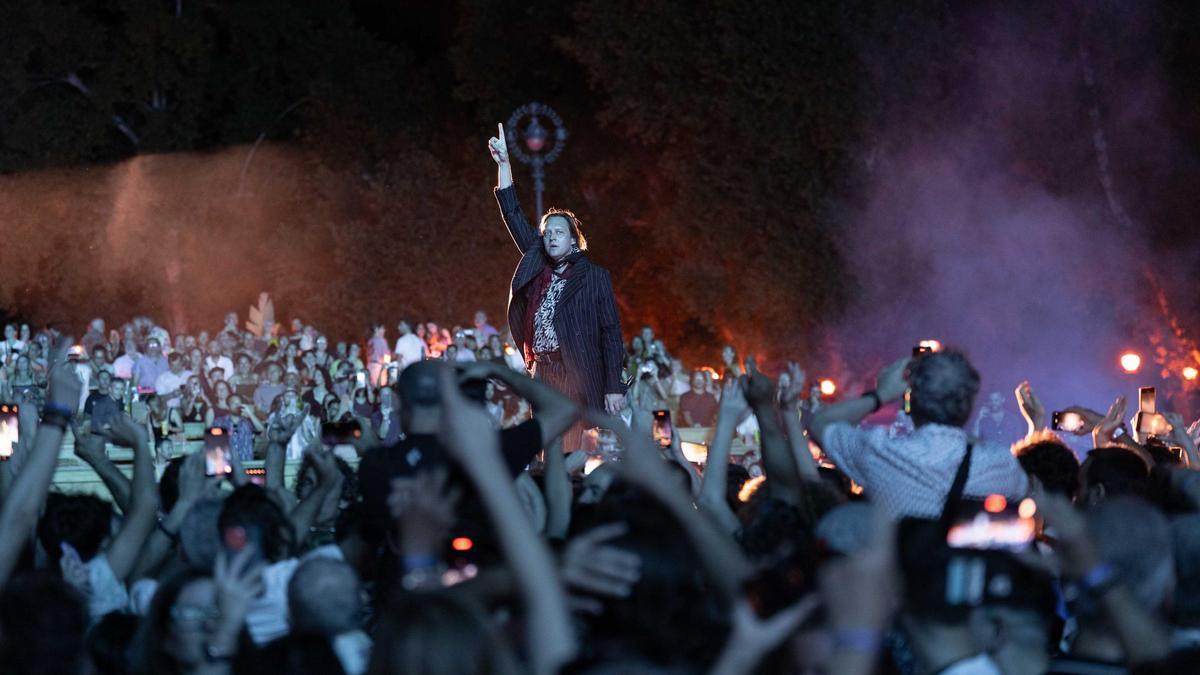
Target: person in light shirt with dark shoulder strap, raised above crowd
x: 910, y: 476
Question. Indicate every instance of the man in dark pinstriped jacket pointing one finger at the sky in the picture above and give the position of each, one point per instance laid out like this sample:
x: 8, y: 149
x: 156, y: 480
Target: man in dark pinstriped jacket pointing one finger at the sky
x: 562, y: 309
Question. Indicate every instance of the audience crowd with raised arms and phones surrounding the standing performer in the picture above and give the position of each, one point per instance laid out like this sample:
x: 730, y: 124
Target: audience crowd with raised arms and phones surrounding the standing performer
x: 452, y: 533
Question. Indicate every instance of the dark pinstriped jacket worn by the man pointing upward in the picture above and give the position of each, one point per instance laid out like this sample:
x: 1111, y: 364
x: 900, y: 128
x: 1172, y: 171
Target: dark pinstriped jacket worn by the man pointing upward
x: 586, y: 318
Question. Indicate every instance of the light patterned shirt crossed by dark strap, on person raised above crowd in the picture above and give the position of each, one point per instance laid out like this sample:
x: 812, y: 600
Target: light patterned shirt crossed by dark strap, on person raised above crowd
x: 911, y: 476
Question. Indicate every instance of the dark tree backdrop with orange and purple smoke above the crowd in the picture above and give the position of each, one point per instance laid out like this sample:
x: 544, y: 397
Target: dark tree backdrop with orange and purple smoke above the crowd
x: 743, y: 169
